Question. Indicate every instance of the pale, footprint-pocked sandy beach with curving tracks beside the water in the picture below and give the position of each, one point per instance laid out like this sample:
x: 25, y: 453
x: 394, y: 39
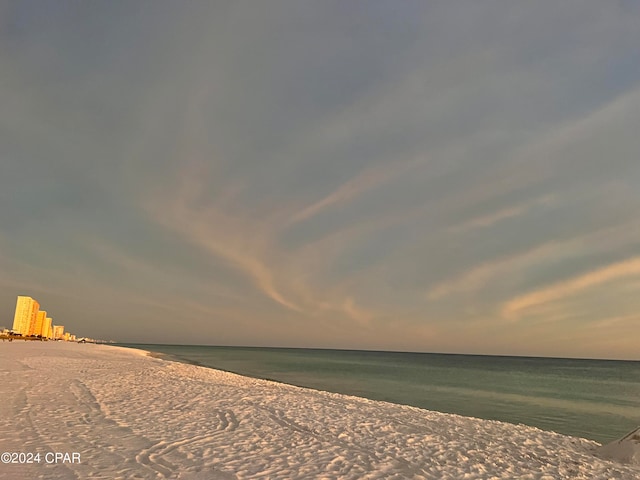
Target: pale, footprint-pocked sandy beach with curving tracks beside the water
x: 132, y: 416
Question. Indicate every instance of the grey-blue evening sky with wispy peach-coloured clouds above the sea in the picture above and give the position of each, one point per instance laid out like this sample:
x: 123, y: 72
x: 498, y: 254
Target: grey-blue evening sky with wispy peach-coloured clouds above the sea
x: 455, y: 177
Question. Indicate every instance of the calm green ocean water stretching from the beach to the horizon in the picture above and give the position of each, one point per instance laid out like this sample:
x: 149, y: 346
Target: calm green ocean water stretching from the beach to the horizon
x: 595, y: 399
